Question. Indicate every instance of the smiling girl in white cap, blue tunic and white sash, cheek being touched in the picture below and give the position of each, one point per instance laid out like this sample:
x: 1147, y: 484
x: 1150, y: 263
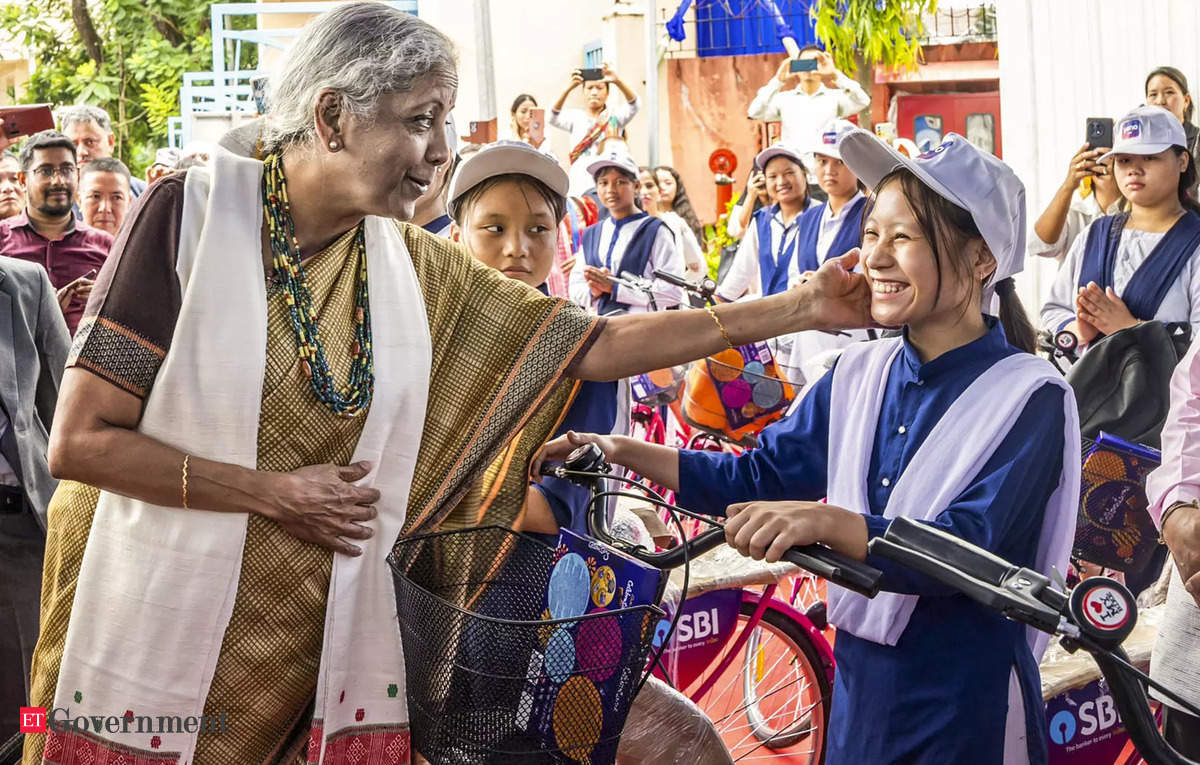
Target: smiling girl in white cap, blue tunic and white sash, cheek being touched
x: 950, y: 425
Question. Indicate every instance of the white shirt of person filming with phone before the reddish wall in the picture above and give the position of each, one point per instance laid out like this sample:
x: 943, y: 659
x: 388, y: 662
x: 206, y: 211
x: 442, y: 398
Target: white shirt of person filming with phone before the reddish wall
x: 805, y: 116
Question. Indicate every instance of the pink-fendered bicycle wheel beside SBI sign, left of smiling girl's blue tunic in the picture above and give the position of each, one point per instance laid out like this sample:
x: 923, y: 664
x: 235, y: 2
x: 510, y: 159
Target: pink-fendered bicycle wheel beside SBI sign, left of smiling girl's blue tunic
x: 772, y: 702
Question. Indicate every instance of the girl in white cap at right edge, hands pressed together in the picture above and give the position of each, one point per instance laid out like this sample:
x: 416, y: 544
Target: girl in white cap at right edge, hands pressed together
x: 1139, y: 266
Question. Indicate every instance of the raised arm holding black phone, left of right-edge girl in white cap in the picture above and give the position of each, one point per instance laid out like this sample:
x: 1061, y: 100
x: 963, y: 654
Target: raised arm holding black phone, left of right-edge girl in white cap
x: 1089, y: 192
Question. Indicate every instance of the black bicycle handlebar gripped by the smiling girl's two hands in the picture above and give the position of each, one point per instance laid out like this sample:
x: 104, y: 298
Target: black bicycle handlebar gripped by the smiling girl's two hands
x: 587, y: 466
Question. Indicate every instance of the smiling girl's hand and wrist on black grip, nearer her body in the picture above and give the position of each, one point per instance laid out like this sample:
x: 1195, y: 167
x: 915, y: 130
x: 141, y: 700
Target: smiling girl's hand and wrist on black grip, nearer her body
x: 767, y: 531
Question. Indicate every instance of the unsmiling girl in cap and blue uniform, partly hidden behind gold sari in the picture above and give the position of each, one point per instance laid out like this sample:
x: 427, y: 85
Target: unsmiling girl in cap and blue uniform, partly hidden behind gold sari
x: 507, y: 201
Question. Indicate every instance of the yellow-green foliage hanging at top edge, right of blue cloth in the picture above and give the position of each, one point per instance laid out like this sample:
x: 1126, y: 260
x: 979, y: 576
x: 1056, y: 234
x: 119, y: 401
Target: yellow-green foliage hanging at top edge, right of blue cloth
x: 872, y: 32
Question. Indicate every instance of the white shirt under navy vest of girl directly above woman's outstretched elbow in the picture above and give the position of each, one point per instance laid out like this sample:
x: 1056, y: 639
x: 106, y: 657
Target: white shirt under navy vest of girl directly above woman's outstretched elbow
x: 664, y: 257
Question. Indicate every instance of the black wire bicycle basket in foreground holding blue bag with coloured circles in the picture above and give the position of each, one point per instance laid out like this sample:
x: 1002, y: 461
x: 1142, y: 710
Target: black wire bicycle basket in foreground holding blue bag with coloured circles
x: 491, y: 679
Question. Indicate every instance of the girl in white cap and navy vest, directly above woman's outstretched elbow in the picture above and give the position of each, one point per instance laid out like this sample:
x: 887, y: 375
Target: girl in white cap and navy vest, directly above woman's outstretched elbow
x: 627, y: 243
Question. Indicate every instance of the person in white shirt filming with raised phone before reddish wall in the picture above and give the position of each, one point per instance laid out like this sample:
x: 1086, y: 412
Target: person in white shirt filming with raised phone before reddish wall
x: 805, y: 95
